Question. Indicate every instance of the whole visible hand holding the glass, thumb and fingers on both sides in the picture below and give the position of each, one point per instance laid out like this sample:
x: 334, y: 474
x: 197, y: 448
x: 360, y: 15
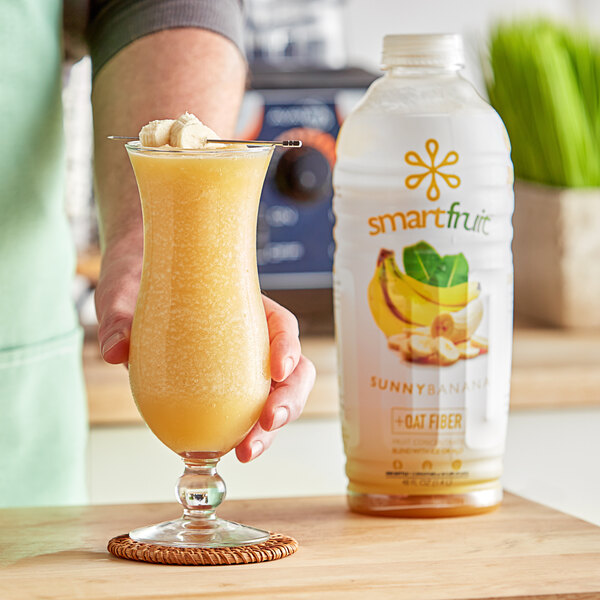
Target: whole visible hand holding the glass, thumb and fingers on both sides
x: 293, y: 375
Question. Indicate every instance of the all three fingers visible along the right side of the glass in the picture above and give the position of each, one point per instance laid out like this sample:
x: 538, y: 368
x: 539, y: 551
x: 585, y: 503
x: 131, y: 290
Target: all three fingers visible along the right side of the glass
x: 293, y: 377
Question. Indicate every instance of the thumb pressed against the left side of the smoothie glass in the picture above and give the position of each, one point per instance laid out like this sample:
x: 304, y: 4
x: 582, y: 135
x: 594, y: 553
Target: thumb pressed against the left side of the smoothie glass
x: 116, y: 295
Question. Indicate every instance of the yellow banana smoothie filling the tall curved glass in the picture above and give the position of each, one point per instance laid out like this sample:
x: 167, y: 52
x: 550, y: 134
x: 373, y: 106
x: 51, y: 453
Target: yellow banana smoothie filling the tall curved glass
x: 199, y: 354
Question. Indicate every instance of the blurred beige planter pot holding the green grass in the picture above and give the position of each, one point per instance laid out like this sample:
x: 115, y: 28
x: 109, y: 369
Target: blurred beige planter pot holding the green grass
x: 557, y: 255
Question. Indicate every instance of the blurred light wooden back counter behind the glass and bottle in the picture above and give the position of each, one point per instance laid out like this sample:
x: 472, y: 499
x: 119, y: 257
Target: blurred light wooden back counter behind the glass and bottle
x: 551, y: 369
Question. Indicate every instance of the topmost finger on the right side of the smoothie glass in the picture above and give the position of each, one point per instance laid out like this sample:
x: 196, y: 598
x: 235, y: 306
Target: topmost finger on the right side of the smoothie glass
x: 284, y: 341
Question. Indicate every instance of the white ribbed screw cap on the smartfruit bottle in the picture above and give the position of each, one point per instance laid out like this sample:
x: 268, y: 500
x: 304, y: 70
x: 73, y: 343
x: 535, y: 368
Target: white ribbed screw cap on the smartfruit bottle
x: 427, y: 50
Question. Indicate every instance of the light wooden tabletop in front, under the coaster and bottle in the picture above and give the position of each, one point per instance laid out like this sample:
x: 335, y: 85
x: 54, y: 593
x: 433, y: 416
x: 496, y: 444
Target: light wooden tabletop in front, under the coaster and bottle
x: 522, y: 551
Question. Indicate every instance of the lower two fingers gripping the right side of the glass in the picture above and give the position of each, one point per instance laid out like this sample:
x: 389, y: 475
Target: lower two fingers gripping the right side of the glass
x: 284, y: 404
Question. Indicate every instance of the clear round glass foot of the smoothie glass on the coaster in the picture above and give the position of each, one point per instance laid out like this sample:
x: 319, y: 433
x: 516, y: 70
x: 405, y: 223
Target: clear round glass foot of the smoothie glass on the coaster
x: 197, y: 533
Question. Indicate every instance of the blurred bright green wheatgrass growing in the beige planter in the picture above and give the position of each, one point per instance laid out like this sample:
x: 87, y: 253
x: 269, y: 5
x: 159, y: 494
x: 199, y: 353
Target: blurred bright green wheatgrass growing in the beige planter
x: 544, y: 81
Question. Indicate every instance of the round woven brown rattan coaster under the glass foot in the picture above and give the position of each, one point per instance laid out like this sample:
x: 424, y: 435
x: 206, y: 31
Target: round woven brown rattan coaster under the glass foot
x: 277, y: 546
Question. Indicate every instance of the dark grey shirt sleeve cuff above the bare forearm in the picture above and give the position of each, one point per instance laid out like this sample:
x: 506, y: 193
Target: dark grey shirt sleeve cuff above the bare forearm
x: 113, y: 24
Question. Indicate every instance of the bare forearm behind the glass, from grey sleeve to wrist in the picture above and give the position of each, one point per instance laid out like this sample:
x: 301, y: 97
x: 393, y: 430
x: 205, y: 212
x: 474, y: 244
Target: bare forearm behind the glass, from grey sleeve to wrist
x: 158, y: 76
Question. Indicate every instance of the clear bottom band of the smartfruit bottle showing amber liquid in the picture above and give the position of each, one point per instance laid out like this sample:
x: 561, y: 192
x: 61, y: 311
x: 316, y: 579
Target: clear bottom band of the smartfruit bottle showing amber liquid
x: 441, y: 505
